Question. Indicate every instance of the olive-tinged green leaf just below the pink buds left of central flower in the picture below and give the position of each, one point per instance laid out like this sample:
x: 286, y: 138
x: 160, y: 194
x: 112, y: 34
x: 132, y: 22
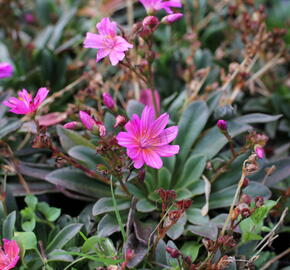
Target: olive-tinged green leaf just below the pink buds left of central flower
x: 69, y: 139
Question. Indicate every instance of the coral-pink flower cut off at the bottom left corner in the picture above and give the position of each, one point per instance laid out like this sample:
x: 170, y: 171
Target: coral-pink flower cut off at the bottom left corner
x: 10, y: 255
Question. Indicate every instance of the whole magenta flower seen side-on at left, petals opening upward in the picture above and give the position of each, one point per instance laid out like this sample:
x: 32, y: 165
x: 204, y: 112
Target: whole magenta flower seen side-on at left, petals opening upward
x: 25, y: 103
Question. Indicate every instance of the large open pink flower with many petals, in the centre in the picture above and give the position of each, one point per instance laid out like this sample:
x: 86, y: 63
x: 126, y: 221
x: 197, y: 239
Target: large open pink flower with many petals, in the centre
x: 147, y: 139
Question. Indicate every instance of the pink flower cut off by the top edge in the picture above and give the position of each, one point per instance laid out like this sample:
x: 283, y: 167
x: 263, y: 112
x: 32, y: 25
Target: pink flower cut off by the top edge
x: 152, y: 6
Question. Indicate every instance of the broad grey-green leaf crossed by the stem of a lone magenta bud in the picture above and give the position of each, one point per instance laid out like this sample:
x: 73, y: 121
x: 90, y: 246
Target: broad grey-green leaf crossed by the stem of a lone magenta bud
x: 213, y: 141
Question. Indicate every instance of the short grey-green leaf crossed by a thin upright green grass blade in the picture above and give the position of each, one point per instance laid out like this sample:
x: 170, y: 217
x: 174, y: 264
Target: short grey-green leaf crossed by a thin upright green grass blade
x: 106, y: 205
